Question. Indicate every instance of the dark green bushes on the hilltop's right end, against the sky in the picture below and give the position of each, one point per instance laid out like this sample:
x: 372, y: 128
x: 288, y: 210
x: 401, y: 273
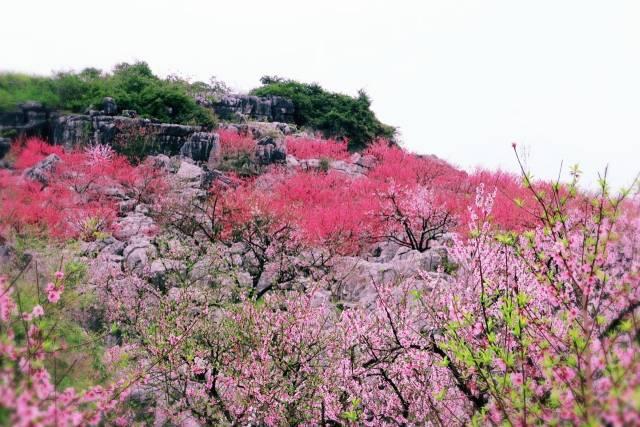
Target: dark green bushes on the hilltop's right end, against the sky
x: 334, y: 114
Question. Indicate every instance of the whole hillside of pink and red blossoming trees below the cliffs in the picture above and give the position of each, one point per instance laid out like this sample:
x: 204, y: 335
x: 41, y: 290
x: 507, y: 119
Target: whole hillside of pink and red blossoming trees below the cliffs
x: 300, y: 292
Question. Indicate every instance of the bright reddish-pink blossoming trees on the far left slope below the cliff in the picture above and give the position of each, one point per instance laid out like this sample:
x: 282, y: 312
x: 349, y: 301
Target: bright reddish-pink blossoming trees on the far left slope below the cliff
x: 80, y: 193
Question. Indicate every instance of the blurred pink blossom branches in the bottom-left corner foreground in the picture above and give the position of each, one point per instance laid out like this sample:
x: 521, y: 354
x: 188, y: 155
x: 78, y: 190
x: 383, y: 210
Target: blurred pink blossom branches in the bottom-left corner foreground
x: 30, y: 345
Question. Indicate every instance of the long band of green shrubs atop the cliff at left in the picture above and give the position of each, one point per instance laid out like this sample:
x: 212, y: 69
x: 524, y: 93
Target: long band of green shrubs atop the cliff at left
x: 132, y: 86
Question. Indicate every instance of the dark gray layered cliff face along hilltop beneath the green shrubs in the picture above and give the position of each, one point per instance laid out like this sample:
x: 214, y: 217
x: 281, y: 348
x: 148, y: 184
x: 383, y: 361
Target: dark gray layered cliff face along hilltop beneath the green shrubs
x: 125, y: 131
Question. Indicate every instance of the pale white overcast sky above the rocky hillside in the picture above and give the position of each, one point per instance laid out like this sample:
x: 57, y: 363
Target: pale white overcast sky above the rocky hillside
x: 460, y: 79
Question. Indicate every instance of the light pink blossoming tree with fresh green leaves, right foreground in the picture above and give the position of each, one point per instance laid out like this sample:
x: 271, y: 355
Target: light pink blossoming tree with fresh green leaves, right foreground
x: 542, y: 323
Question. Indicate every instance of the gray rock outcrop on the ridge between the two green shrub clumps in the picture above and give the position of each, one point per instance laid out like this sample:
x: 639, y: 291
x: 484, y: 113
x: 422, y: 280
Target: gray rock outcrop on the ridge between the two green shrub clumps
x: 268, y: 109
